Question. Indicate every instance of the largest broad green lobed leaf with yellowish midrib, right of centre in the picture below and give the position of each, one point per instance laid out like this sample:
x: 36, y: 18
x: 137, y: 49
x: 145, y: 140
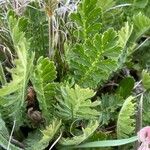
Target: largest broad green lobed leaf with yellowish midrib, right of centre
x: 96, y: 59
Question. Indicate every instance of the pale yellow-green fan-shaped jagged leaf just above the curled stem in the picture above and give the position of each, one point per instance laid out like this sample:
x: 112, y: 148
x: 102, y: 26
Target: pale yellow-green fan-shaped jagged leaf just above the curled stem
x: 75, y: 103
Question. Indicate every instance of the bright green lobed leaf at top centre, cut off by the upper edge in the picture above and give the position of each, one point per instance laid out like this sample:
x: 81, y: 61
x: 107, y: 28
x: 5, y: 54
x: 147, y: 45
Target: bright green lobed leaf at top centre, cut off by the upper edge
x: 87, y: 18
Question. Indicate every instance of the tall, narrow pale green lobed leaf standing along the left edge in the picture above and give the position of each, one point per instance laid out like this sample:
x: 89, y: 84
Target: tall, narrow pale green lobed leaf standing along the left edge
x: 15, y: 91
